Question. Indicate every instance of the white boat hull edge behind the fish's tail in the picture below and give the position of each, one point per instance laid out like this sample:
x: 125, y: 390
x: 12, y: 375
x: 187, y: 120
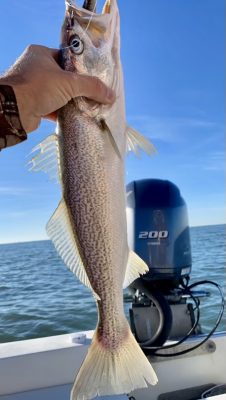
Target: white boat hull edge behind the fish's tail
x: 45, y: 368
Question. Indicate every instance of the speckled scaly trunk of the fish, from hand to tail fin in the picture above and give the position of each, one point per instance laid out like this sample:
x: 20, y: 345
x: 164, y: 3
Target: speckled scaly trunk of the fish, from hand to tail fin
x: 94, y: 196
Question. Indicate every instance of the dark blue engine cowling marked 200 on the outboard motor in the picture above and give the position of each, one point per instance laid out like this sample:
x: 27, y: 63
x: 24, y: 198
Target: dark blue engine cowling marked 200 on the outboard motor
x: 158, y: 228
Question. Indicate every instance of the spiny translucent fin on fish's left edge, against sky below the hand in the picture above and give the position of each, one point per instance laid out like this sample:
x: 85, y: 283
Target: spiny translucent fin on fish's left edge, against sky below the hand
x: 47, y: 159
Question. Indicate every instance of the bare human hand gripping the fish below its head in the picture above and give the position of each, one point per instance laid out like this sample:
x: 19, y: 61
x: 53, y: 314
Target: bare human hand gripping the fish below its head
x: 42, y: 87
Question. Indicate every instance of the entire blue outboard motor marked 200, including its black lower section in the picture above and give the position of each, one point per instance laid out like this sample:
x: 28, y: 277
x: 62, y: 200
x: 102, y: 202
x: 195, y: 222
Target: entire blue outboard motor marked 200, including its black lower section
x: 158, y: 232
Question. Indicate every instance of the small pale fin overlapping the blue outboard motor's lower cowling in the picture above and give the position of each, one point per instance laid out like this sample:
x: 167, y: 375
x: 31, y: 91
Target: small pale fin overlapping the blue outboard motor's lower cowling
x: 135, y: 267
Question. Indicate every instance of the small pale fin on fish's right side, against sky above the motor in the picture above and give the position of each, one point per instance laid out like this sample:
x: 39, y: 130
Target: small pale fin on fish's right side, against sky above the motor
x: 135, y: 141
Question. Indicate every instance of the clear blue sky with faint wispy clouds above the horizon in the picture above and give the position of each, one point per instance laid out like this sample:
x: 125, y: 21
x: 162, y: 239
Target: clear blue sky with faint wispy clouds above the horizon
x: 173, y: 59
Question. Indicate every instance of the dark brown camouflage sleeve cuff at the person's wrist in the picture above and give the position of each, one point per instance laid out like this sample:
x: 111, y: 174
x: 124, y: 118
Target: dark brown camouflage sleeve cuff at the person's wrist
x: 11, y: 130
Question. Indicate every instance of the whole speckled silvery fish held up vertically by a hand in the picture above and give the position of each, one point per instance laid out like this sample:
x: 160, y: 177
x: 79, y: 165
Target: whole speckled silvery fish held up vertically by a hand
x: 89, y: 228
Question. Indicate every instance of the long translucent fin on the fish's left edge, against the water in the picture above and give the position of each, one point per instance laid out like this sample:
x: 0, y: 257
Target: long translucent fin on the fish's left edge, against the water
x: 65, y: 241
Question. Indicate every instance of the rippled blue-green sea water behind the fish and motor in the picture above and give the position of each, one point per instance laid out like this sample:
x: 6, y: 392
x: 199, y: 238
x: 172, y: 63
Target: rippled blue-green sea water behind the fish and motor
x: 40, y: 297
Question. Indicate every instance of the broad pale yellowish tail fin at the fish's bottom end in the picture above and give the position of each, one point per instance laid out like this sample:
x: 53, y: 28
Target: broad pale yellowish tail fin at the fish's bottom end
x: 108, y: 371
